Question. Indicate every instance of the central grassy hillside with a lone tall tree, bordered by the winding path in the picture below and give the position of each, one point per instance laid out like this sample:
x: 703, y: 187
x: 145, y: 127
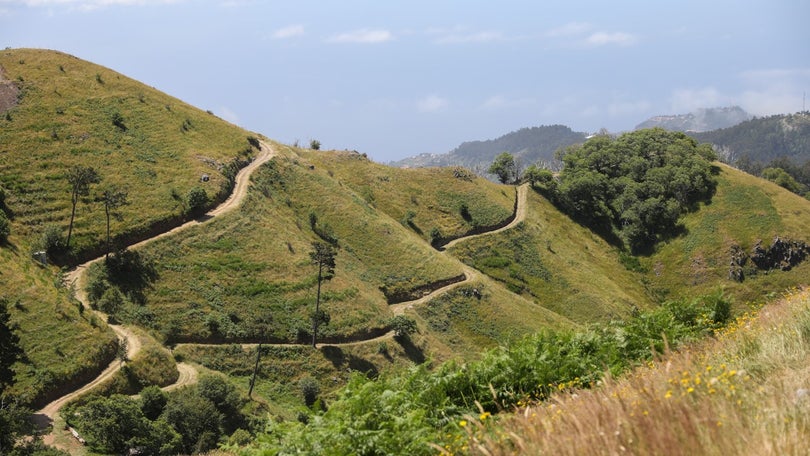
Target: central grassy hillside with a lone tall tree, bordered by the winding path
x: 248, y: 276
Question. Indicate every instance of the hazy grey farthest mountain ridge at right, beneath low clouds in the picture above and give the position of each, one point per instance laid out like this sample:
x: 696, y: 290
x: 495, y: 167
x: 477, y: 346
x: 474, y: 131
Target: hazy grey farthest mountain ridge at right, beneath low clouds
x: 704, y: 119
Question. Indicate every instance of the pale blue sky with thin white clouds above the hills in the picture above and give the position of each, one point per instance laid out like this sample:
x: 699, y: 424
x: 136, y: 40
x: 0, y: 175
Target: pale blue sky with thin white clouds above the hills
x: 399, y: 78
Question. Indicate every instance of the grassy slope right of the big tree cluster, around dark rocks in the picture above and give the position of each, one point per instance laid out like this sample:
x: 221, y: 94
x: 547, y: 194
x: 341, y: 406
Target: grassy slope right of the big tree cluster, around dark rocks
x: 744, y: 210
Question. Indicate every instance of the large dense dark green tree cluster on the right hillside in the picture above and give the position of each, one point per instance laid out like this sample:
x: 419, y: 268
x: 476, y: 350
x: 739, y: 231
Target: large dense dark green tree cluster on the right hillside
x: 631, y: 189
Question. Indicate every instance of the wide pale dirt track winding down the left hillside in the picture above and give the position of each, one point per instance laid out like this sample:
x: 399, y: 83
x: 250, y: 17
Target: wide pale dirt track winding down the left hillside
x: 77, y: 279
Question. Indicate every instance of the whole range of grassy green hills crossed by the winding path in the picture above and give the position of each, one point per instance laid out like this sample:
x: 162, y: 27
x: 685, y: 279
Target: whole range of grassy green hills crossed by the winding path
x: 246, y: 276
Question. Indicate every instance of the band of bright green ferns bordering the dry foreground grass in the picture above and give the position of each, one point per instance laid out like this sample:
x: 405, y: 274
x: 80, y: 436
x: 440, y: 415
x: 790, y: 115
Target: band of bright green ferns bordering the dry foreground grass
x: 406, y: 413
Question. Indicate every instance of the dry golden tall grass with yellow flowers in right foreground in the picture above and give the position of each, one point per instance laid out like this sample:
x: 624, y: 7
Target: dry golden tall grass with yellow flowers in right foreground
x: 747, y: 391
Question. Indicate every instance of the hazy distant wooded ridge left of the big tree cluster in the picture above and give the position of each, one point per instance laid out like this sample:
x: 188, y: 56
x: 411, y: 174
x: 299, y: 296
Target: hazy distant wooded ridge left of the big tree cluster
x: 529, y: 145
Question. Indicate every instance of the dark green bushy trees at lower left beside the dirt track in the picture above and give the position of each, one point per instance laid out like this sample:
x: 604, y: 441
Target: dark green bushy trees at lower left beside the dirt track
x: 193, y: 420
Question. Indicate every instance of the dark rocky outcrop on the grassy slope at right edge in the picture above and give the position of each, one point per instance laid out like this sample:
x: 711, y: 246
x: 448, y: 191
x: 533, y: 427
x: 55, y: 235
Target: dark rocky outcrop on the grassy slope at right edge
x: 783, y: 254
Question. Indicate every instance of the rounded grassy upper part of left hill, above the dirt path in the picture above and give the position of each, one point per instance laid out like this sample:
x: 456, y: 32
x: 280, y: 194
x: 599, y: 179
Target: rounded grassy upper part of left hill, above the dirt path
x: 72, y: 112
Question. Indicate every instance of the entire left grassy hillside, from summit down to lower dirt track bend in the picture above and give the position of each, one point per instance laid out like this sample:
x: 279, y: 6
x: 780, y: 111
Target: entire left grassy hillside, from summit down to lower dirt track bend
x: 63, y: 116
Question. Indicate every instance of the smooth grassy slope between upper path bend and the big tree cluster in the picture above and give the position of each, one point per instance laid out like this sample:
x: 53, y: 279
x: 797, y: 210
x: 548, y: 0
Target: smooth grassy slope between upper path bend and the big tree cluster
x: 557, y: 263
